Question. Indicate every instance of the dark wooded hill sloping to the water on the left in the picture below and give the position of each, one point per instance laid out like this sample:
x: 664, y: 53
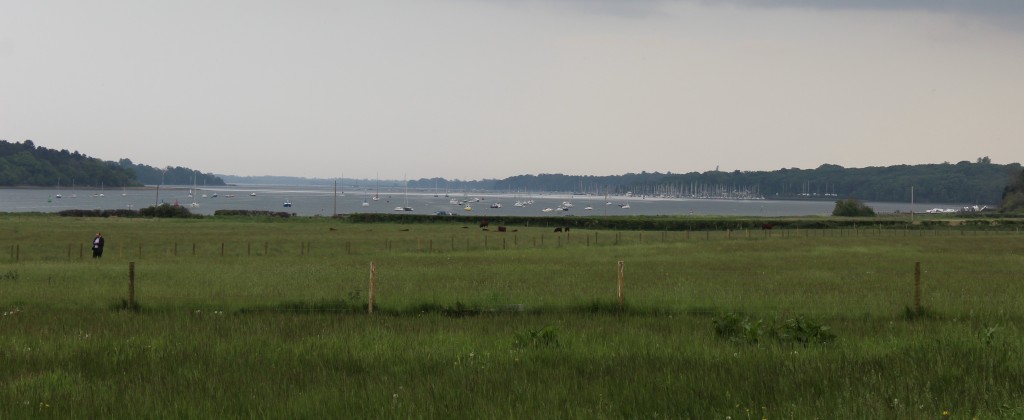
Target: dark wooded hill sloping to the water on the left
x: 25, y: 164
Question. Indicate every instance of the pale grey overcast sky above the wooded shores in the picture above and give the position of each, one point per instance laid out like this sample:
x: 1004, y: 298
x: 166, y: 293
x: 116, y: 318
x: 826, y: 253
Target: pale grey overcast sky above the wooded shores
x: 494, y: 89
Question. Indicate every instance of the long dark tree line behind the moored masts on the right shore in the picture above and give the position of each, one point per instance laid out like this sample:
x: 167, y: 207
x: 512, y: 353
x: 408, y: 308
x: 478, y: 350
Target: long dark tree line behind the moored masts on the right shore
x: 968, y: 183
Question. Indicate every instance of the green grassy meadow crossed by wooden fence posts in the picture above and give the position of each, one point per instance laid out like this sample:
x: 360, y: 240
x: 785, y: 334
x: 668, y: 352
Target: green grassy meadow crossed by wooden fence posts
x: 250, y: 317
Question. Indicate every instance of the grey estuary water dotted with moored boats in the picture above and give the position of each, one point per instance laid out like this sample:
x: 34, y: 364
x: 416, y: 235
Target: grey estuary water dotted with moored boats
x: 308, y: 201
